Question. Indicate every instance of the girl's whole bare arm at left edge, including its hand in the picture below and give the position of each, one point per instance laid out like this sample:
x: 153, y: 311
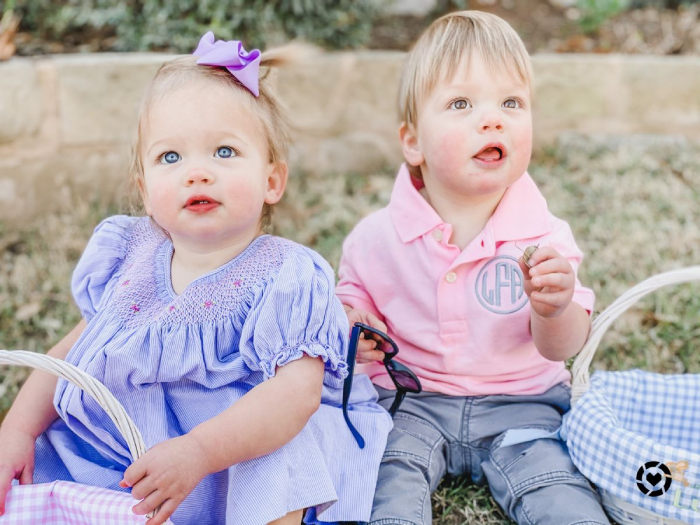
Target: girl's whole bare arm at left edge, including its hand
x: 30, y: 415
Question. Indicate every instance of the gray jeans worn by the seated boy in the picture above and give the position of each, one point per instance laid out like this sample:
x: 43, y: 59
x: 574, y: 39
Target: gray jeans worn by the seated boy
x: 535, y: 483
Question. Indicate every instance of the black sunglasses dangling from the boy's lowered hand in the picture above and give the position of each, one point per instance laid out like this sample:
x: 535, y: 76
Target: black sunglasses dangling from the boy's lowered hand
x: 403, y: 378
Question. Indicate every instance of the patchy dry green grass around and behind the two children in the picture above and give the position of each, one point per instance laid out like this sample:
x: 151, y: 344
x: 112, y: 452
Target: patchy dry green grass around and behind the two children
x: 633, y: 206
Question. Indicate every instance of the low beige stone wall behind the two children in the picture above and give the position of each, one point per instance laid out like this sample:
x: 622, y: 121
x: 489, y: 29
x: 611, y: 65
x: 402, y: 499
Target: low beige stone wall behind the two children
x: 67, y: 122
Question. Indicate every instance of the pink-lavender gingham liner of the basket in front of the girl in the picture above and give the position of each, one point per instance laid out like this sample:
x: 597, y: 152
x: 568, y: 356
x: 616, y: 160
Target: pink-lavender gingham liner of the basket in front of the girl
x: 66, y: 503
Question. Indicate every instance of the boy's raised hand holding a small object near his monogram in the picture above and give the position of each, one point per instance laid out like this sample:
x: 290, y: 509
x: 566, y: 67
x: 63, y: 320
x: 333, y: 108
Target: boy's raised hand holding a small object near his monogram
x: 549, y: 283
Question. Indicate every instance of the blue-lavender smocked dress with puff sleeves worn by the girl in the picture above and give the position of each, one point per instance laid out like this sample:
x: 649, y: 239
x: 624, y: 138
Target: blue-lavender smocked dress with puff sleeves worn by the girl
x: 175, y: 361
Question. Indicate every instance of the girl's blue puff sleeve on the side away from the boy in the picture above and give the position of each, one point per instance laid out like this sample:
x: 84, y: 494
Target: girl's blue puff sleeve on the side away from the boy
x: 100, y: 262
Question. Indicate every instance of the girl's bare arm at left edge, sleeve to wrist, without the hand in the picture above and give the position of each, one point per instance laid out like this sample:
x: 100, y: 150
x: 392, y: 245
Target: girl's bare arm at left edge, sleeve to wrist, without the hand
x: 33, y: 411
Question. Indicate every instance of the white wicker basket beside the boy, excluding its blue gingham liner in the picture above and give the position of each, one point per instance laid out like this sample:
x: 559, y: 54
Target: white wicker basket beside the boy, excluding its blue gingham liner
x: 620, y: 509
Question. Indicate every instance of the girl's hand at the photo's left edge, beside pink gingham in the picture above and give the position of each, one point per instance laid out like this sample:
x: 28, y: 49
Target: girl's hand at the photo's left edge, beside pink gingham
x: 16, y: 460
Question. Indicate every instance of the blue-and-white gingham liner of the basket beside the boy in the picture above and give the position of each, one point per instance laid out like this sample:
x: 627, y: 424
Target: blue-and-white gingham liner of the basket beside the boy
x: 630, y: 418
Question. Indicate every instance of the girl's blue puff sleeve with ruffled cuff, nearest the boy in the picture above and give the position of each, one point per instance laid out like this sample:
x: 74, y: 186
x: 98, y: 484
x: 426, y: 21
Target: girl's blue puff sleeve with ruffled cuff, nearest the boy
x: 297, y: 313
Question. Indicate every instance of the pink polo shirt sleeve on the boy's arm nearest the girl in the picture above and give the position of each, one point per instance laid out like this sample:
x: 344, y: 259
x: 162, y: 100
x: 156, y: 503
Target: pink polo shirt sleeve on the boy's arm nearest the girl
x: 352, y: 288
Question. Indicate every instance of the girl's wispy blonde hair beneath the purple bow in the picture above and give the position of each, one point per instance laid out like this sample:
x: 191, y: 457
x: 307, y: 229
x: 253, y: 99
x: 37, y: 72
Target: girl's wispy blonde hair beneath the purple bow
x: 273, y: 119
